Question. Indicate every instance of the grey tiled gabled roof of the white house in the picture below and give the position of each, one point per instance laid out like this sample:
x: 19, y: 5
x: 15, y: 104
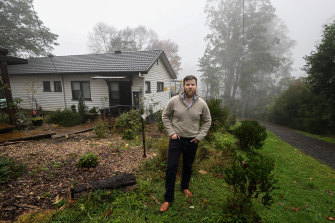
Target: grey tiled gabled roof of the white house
x: 118, y: 62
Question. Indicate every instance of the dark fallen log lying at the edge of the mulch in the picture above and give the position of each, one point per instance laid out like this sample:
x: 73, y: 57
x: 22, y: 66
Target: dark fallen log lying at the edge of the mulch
x: 119, y: 181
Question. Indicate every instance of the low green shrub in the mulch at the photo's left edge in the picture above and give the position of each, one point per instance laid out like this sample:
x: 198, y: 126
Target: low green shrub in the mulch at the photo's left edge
x: 9, y: 169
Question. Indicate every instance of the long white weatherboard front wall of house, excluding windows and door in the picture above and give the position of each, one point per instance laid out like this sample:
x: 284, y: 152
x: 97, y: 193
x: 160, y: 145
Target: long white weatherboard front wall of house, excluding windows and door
x: 22, y: 86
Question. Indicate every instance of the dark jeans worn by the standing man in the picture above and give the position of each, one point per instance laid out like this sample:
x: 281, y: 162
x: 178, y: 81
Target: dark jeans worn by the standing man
x: 176, y: 148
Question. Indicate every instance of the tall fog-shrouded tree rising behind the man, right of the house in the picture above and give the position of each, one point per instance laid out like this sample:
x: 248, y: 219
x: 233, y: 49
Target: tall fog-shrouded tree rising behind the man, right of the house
x: 250, y: 50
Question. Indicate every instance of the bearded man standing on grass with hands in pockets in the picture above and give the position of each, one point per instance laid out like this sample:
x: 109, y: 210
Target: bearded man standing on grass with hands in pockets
x: 181, y: 118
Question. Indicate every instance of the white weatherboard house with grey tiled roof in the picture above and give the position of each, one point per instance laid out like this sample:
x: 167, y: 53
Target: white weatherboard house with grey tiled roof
x: 104, y: 80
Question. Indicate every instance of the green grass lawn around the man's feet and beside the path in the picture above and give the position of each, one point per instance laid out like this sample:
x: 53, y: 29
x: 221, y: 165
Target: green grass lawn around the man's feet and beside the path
x: 305, y: 195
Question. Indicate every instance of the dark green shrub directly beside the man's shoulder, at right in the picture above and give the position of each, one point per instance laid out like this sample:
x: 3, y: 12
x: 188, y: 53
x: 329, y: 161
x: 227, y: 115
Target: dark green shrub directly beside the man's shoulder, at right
x: 219, y: 115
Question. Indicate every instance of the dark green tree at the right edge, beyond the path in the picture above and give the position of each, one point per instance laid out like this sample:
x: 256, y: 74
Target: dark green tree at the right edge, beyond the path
x: 320, y: 65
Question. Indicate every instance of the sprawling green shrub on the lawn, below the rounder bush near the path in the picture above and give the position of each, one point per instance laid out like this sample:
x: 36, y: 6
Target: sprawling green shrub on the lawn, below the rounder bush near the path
x: 252, y: 176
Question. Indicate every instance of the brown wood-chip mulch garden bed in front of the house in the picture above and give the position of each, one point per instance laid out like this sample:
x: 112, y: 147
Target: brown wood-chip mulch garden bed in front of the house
x: 52, y: 169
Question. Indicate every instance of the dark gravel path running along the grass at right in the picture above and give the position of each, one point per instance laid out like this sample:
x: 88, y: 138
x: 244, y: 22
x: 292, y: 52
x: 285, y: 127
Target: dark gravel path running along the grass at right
x: 320, y: 150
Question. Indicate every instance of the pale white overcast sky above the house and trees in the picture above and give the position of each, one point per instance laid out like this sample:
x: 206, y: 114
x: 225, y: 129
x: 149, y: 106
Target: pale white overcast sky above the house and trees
x: 182, y: 21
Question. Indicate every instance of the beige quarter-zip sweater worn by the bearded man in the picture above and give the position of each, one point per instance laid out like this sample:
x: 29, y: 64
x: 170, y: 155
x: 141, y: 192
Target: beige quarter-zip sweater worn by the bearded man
x: 177, y: 118
